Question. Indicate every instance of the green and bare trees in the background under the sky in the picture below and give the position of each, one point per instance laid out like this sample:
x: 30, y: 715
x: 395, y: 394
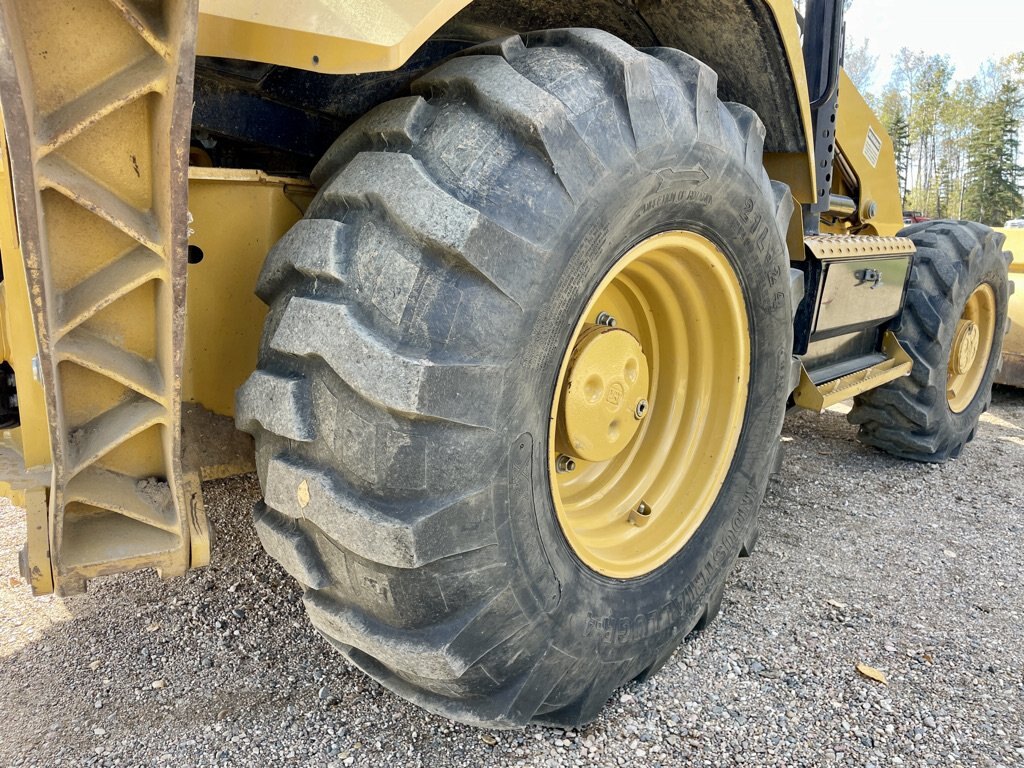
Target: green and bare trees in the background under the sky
x: 957, y: 143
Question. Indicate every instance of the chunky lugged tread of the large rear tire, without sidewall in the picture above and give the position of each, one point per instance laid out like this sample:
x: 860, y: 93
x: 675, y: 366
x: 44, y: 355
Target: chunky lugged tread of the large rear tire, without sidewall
x: 379, y: 573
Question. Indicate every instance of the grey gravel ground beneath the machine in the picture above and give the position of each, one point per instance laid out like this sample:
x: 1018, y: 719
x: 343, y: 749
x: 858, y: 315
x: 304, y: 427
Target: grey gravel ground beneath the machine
x: 913, y: 570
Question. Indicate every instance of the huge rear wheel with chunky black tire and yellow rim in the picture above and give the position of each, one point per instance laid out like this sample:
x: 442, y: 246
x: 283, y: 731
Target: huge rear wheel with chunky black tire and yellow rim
x: 525, y: 374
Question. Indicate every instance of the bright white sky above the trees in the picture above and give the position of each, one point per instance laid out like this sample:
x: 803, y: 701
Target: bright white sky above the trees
x: 970, y: 31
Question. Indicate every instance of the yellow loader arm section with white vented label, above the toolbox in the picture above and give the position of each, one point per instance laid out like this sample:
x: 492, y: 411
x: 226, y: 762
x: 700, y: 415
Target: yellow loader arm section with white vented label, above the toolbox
x: 869, y: 151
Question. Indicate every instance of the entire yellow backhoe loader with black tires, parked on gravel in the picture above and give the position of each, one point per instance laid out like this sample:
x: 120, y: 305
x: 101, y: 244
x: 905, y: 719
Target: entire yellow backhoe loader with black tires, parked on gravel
x: 513, y: 296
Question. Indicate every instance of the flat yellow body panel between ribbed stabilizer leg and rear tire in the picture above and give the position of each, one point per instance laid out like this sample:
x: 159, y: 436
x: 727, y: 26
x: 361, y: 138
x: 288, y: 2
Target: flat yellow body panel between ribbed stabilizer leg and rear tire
x: 237, y: 218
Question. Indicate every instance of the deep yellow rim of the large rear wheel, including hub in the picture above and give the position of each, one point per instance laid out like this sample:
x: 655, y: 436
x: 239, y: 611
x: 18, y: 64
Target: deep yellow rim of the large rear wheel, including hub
x: 672, y: 310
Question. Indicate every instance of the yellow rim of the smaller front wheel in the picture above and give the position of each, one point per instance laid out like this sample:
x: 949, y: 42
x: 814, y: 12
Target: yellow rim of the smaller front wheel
x: 971, y: 349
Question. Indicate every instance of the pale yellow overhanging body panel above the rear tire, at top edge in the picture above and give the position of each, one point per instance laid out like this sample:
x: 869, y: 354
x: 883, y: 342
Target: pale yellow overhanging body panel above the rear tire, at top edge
x: 336, y: 37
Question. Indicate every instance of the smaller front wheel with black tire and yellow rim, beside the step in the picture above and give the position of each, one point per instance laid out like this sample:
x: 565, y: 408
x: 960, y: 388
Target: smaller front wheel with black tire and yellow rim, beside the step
x: 953, y: 327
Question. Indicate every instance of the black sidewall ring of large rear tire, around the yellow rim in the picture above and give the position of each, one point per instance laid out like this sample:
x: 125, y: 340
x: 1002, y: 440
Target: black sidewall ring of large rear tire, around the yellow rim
x: 618, y: 619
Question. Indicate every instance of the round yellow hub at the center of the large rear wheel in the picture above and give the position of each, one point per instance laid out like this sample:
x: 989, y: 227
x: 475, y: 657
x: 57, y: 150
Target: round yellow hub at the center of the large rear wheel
x: 607, y: 393
